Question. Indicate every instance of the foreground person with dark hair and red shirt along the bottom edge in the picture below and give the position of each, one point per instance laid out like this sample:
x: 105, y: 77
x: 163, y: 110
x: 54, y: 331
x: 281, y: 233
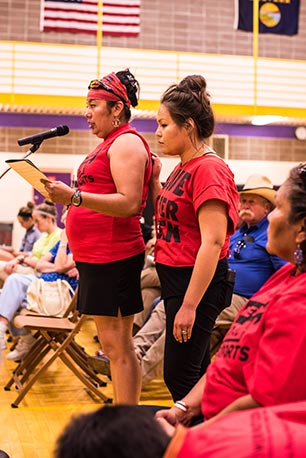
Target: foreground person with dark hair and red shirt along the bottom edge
x: 132, y: 432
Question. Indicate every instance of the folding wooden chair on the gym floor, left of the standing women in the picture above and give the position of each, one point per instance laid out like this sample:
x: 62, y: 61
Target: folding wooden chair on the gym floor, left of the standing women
x: 57, y: 337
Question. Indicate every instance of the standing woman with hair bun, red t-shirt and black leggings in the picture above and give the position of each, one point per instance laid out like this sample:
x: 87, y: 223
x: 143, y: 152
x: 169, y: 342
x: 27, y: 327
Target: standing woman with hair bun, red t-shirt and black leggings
x: 196, y: 212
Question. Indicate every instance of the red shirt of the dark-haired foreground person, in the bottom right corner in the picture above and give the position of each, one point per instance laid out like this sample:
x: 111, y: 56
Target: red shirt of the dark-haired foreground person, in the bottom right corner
x: 274, y: 432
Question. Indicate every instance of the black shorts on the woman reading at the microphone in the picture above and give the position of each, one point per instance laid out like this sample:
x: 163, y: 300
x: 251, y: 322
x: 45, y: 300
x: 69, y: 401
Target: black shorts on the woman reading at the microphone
x: 106, y: 288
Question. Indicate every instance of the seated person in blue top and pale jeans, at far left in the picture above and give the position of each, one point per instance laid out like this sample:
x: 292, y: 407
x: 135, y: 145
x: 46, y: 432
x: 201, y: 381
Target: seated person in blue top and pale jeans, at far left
x: 57, y: 264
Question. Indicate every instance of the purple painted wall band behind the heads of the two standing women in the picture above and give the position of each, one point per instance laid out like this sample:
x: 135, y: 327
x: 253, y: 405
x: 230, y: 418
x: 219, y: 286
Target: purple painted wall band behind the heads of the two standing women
x: 142, y: 125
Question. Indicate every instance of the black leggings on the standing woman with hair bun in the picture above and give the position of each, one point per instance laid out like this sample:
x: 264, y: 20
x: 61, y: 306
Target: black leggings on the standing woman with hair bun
x: 185, y: 363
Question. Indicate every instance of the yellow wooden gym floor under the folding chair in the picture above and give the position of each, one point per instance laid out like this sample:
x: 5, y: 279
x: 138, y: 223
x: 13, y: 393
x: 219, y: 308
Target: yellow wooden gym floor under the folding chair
x: 30, y: 431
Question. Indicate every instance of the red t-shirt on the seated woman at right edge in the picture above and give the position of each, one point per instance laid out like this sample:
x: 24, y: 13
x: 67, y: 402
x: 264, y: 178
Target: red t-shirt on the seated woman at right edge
x: 263, y: 353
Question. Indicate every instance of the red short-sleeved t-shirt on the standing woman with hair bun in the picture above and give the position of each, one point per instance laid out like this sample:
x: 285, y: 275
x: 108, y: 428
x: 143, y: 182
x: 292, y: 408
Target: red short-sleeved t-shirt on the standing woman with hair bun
x: 187, y: 188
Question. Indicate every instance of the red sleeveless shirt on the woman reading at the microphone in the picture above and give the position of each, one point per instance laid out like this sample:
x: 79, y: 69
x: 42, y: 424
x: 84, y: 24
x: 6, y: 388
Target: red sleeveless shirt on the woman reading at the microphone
x: 94, y: 237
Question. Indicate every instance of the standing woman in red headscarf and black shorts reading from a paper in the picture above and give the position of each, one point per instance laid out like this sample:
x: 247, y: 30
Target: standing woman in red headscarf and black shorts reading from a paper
x: 103, y: 225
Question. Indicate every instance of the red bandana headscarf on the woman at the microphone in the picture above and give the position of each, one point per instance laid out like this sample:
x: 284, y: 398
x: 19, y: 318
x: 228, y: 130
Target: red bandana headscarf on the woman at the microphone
x: 108, y: 88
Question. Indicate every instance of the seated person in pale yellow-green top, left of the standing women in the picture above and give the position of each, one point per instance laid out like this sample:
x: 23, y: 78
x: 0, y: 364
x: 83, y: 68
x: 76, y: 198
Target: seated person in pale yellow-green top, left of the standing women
x: 44, y: 217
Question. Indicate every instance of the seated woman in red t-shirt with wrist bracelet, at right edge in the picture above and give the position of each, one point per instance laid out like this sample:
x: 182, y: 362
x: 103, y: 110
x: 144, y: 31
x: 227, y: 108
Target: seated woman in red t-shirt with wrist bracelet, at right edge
x: 262, y: 358
